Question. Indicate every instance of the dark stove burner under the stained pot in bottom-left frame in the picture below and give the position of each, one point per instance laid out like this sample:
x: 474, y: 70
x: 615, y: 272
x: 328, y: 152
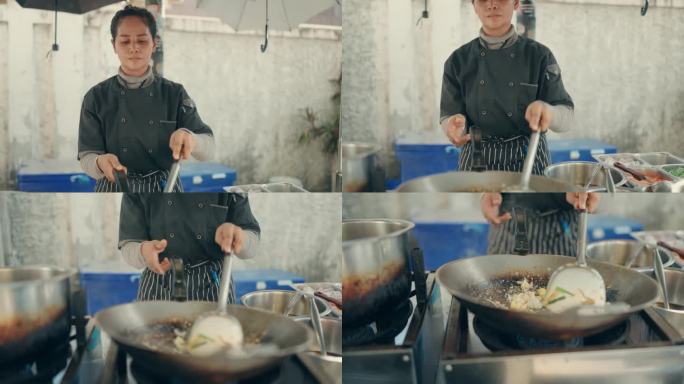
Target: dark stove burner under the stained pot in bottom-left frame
x: 37, y: 368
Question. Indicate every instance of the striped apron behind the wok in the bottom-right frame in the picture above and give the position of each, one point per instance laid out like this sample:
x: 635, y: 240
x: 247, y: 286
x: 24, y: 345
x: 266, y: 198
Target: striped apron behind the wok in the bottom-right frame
x: 553, y: 233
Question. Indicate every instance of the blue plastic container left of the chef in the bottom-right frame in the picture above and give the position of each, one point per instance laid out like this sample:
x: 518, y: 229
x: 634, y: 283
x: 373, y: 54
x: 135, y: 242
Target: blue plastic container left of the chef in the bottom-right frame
x: 444, y: 236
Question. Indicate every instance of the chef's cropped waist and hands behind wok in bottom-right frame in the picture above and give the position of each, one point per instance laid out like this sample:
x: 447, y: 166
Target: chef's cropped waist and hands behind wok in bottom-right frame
x: 535, y: 223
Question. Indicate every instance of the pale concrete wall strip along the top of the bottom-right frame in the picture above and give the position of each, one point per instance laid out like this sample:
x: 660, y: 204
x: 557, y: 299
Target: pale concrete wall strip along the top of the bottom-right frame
x: 654, y: 211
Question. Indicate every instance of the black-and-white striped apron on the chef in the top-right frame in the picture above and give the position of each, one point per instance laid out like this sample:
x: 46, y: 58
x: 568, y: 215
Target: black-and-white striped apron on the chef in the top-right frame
x: 505, y: 154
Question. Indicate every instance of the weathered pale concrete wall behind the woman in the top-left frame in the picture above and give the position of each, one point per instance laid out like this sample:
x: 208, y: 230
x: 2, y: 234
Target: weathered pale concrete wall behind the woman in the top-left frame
x: 254, y: 102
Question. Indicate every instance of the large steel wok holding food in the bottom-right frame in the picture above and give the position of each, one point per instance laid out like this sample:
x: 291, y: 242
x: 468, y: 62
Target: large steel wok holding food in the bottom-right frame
x: 464, y: 278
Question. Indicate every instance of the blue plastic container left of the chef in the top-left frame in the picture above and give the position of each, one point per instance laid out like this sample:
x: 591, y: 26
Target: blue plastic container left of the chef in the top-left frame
x: 53, y: 176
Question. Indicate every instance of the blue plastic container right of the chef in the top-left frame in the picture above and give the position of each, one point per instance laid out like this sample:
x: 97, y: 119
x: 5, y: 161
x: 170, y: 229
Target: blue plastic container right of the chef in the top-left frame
x: 206, y: 177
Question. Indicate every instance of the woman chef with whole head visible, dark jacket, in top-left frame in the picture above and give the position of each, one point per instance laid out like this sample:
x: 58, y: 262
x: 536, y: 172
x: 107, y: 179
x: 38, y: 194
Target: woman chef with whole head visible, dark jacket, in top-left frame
x: 137, y: 122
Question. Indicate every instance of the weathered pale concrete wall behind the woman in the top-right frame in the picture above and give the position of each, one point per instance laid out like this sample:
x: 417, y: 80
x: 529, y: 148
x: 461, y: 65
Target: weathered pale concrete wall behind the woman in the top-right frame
x: 620, y: 68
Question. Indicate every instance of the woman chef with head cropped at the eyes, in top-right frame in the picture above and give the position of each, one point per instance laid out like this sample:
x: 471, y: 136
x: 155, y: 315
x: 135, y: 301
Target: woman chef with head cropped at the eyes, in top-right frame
x: 507, y: 86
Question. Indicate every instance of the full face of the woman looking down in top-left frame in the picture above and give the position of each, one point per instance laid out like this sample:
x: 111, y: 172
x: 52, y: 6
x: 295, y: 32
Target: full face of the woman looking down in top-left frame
x: 134, y: 45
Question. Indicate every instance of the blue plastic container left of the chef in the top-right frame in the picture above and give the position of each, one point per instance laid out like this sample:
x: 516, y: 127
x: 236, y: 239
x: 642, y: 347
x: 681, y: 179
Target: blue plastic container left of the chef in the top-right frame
x: 425, y: 154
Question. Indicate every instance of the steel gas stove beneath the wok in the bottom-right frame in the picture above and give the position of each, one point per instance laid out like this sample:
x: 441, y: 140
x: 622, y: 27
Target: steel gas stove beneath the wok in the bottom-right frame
x: 642, y: 349
